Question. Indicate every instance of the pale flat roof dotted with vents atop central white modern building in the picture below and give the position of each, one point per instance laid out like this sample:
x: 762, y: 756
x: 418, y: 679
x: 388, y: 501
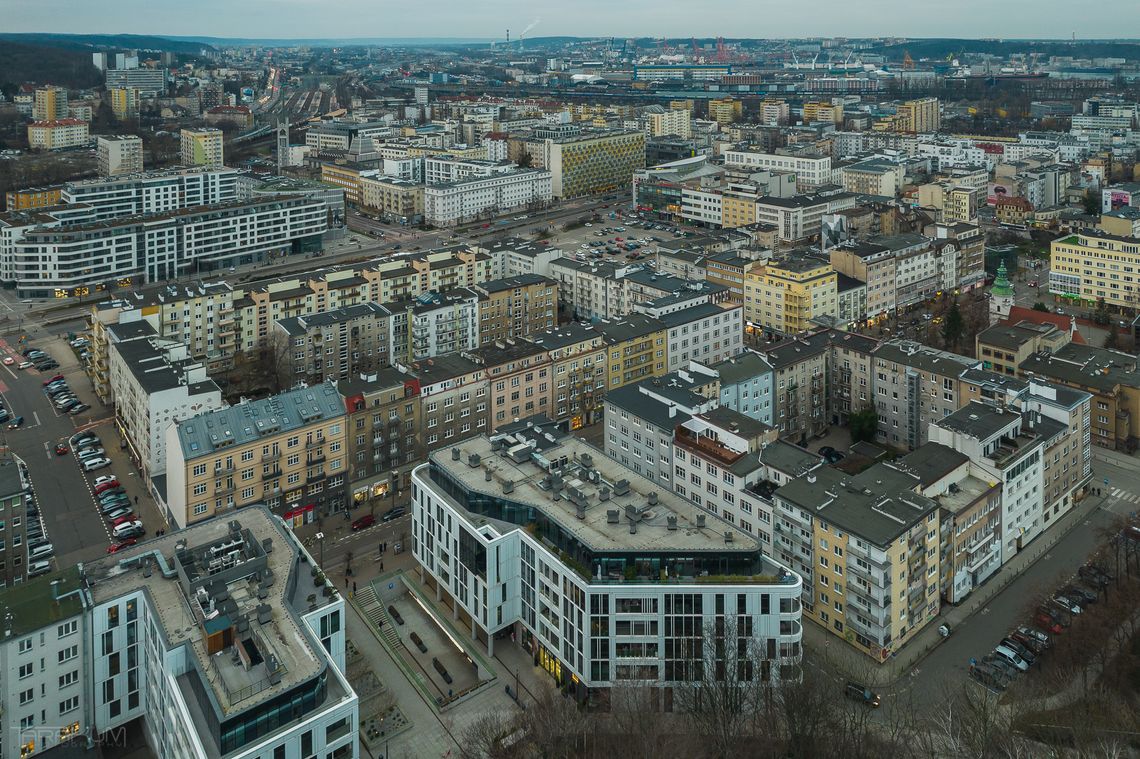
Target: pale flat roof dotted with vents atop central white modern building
x: 595, y: 529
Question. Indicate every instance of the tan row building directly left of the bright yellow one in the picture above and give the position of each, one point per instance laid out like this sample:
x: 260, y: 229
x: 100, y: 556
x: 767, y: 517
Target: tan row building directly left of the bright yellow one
x: 577, y: 355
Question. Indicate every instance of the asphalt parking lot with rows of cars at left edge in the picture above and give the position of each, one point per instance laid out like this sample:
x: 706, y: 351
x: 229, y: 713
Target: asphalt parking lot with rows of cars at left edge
x: 64, y: 494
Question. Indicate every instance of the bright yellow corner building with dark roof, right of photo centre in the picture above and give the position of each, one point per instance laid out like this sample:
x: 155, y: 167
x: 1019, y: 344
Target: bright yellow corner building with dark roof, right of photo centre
x: 785, y: 295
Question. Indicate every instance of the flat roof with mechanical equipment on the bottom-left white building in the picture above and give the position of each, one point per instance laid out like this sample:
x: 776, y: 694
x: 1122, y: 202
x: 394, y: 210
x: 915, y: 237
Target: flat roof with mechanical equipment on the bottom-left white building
x: 251, y: 583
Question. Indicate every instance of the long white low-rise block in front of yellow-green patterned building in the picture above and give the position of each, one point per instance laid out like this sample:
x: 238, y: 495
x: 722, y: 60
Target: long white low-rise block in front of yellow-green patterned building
x: 450, y: 205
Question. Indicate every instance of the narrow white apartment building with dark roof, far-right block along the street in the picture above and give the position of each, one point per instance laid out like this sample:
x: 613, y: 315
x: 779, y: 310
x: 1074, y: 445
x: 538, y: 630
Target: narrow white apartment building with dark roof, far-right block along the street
x: 1011, y: 454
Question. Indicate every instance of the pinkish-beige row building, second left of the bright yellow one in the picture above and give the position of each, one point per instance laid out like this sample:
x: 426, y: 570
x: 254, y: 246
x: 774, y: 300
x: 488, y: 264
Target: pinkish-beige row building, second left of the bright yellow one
x: 519, y: 380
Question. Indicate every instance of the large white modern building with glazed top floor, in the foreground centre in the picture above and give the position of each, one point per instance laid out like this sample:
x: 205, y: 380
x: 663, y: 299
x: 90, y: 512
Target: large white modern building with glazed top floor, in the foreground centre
x: 609, y: 570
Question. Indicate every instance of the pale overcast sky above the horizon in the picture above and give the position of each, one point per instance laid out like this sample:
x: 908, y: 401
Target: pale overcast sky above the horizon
x: 491, y: 19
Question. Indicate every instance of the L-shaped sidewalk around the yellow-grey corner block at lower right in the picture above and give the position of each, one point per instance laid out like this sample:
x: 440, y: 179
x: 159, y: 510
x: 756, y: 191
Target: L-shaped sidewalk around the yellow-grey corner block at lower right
x: 901, y: 665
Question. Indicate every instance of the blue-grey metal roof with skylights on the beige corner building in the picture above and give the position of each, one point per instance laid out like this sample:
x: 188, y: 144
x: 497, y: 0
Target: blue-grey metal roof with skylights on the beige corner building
x: 250, y: 421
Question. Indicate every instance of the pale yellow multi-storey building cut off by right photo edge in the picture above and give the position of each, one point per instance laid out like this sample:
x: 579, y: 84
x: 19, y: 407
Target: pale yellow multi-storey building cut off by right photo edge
x: 1094, y: 266
